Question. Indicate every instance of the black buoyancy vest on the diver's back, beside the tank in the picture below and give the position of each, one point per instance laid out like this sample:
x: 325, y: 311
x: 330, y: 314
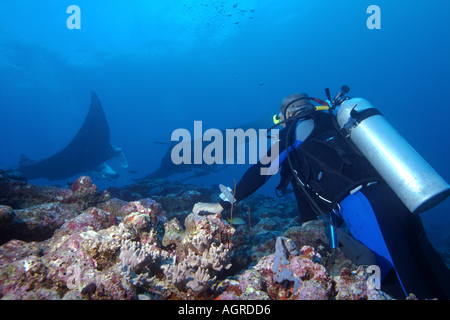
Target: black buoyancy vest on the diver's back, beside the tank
x: 326, y: 164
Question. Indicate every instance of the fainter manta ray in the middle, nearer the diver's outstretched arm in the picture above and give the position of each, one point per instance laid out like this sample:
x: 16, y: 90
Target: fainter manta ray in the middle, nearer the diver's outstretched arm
x: 168, y: 168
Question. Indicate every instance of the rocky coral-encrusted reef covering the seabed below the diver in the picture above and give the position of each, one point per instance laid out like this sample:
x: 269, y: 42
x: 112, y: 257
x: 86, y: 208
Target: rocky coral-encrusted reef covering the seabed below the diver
x: 143, y: 242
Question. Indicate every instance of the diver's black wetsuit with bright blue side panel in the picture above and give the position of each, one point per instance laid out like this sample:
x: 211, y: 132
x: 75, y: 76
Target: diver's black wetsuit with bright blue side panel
x: 375, y: 215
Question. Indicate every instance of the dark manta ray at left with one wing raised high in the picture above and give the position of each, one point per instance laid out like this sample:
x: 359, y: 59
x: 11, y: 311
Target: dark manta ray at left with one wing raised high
x: 86, y: 153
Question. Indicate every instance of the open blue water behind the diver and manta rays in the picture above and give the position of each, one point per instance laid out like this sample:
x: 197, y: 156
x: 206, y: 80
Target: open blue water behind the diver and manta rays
x: 160, y: 65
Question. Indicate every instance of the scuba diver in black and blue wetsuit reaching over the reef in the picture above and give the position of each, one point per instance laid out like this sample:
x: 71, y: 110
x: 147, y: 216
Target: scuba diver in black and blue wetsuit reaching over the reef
x: 346, y: 163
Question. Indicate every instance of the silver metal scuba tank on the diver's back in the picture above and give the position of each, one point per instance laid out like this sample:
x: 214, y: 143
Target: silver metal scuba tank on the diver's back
x: 414, y: 181
